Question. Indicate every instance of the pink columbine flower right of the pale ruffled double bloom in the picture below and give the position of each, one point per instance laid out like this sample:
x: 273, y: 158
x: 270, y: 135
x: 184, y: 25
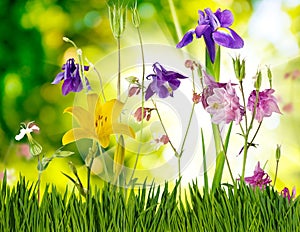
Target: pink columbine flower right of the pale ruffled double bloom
x: 266, y: 105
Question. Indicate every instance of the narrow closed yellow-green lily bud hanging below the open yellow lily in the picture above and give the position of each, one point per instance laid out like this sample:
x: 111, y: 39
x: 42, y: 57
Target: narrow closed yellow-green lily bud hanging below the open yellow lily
x: 119, y: 157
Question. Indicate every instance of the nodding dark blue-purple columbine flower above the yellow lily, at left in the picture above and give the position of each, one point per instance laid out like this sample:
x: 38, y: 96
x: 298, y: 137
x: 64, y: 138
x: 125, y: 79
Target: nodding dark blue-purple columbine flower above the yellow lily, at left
x: 71, y: 77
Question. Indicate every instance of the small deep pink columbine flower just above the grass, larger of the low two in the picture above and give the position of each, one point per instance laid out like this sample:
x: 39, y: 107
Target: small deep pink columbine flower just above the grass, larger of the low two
x: 259, y: 179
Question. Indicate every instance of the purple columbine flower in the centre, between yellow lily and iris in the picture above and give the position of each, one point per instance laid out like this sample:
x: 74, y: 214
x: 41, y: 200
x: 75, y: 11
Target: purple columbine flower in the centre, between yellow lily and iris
x: 163, y: 82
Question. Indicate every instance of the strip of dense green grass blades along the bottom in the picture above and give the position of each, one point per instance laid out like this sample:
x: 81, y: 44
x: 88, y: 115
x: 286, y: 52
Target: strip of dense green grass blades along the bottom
x: 238, y: 208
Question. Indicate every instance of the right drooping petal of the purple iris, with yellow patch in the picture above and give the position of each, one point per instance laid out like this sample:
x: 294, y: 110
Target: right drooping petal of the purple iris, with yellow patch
x: 227, y: 38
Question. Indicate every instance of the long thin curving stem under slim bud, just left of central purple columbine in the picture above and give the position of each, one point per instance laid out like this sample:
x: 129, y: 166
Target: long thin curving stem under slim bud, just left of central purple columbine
x: 143, y: 103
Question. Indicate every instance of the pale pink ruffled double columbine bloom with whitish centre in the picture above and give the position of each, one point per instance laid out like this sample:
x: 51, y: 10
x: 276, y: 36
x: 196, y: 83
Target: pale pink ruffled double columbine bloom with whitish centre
x: 224, y: 105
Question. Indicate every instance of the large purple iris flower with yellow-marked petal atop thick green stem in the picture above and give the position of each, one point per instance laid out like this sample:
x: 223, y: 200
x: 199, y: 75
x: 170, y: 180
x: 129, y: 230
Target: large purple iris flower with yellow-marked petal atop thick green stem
x: 214, y: 27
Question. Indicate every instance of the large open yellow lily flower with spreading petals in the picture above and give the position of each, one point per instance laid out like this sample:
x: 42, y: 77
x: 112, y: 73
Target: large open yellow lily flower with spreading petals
x: 98, y: 122
